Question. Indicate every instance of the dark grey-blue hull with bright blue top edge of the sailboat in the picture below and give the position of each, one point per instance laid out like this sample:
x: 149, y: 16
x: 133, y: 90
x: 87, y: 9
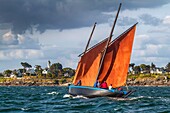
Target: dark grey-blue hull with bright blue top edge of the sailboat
x: 97, y: 92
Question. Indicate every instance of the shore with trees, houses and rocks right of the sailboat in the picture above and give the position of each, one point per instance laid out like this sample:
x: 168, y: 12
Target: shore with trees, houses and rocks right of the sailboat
x: 148, y: 74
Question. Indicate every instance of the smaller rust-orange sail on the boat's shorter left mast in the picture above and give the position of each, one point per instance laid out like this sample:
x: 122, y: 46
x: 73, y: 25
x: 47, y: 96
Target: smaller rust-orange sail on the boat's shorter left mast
x: 89, y: 64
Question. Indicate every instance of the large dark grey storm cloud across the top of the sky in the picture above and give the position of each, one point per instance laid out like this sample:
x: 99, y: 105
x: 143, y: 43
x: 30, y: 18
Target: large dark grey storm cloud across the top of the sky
x: 24, y: 15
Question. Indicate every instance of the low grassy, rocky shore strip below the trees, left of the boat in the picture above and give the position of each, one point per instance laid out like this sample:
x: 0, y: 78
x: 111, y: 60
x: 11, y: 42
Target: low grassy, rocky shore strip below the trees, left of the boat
x: 34, y: 81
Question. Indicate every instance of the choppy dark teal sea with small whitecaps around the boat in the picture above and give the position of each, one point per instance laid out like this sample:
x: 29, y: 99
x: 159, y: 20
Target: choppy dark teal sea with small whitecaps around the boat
x: 56, y: 100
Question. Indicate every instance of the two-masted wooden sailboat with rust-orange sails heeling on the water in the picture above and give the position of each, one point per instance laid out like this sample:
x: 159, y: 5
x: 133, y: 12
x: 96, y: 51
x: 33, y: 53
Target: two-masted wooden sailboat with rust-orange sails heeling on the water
x: 106, y: 61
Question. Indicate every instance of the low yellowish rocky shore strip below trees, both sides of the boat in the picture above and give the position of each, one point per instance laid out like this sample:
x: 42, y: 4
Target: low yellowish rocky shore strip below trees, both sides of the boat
x: 34, y: 81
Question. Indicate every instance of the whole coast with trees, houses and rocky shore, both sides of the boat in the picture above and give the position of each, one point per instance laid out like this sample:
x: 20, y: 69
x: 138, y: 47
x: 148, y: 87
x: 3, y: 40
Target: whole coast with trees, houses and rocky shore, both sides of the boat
x: 56, y: 74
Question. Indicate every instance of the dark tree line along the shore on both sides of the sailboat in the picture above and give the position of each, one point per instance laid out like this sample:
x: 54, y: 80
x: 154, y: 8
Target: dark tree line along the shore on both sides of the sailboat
x: 57, y: 70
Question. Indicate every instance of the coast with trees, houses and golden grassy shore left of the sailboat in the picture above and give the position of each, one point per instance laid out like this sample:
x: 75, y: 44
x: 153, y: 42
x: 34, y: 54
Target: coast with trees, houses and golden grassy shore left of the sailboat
x: 51, y: 75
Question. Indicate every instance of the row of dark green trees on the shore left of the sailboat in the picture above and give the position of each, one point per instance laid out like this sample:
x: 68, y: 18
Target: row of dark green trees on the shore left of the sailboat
x: 53, y: 71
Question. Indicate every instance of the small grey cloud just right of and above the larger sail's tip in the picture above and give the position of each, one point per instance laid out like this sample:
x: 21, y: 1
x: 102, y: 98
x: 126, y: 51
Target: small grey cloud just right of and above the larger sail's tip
x: 150, y: 20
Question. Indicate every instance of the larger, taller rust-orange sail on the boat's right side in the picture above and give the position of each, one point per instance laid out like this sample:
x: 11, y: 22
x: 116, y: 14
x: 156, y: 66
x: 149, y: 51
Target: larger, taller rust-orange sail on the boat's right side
x: 115, y: 67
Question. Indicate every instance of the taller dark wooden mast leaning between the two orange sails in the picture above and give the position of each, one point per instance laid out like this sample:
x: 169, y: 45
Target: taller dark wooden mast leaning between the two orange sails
x: 108, y: 41
